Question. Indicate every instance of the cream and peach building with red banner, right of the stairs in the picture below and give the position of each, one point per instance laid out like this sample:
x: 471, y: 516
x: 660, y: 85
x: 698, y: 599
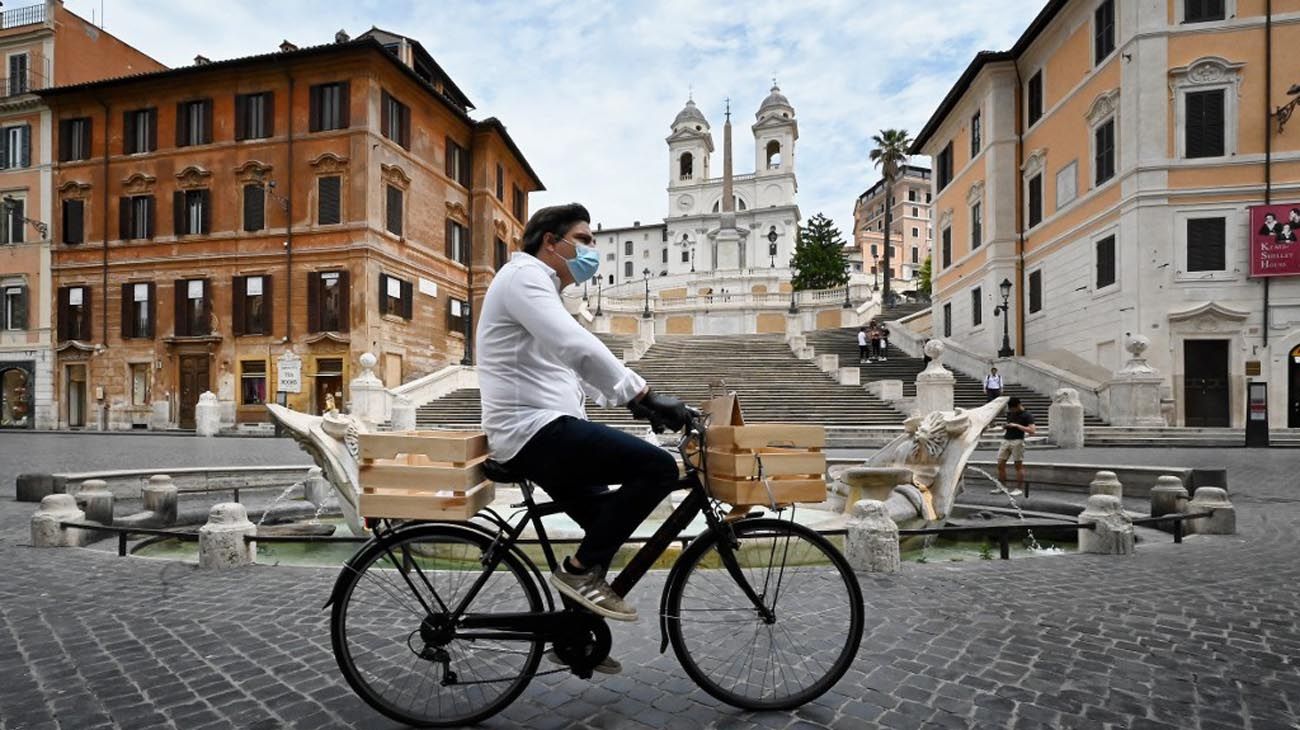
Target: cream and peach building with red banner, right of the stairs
x: 1106, y: 166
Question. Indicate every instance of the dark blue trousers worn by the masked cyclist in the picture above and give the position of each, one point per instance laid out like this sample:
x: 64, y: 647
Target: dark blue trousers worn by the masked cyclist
x: 577, y: 462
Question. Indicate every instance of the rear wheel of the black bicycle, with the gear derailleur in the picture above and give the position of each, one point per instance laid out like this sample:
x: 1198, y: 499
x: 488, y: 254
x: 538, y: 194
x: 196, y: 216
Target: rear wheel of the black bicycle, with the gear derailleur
x: 405, y: 659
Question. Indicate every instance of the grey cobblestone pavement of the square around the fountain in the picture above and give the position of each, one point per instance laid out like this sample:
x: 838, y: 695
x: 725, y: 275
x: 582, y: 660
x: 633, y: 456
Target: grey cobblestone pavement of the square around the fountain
x: 1182, y: 637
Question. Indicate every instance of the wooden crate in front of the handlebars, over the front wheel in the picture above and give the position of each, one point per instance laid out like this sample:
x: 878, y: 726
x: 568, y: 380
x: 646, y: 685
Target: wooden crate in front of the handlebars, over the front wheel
x: 747, y: 462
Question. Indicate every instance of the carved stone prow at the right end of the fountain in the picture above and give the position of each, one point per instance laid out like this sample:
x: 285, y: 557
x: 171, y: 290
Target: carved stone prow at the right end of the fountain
x: 918, y: 475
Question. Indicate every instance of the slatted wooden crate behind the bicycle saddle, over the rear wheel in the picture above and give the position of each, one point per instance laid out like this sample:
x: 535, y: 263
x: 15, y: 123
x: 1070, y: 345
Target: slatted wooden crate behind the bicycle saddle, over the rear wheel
x: 424, y: 475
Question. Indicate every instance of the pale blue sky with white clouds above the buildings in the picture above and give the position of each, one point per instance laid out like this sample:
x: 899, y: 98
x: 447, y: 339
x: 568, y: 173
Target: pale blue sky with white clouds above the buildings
x: 590, y: 88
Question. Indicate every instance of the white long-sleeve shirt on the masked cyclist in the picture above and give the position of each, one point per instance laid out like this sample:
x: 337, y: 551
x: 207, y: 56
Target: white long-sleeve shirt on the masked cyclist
x: 536, y: 363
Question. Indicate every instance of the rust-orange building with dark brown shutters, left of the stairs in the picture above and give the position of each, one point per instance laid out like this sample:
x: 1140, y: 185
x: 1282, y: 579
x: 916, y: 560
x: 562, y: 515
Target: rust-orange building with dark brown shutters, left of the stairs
x: 232, y: 223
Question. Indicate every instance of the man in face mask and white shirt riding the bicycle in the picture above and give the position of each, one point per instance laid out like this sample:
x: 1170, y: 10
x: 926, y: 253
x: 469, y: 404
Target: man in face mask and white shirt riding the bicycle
x: 536, y: 367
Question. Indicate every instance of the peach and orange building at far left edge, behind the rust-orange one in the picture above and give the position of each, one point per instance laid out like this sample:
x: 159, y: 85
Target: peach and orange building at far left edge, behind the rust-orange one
x: 44, y: 45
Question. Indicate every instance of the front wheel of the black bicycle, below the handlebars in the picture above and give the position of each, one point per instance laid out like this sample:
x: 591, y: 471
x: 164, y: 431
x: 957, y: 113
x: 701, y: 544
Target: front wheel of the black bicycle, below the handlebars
x: 795, y: 655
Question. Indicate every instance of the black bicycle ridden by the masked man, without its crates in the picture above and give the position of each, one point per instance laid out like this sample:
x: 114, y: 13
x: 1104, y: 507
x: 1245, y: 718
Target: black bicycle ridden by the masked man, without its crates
x: 444, y: 624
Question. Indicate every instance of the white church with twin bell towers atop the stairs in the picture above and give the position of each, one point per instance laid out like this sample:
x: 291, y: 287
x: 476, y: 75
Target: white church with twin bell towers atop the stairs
x: 727, y: 224
